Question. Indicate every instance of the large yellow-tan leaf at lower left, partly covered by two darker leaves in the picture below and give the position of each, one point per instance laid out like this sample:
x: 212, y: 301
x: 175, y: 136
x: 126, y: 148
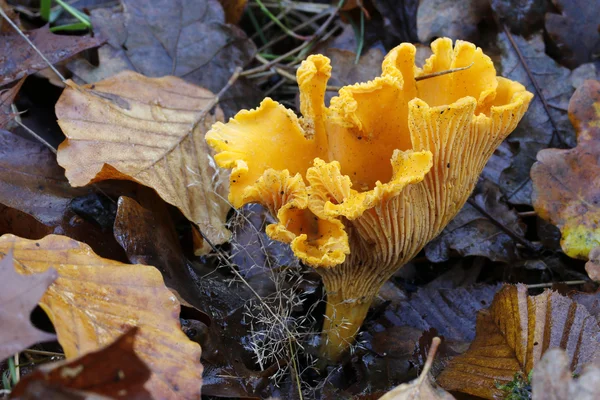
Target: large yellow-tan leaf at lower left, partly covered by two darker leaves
x: 95, y: 300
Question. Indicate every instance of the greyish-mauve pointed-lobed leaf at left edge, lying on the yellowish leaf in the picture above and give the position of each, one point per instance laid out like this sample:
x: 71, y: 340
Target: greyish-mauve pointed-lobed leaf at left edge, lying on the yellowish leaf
x: 19, y: 294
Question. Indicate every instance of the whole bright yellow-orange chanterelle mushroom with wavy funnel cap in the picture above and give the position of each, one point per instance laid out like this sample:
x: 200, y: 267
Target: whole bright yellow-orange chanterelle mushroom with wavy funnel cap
x: 358, y: 188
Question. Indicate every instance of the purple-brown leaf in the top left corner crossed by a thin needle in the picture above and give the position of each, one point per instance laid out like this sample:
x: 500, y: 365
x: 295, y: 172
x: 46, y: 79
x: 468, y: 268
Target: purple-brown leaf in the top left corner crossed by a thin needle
x: 19, y: 59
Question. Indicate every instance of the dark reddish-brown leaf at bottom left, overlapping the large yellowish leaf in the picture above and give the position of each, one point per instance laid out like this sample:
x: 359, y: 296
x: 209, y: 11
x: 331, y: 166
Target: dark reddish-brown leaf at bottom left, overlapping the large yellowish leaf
x: 114, y: 371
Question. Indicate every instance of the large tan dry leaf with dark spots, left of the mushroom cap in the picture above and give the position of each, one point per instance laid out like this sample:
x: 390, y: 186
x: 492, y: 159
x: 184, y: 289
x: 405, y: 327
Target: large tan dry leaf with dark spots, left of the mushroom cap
x: 148, y: 130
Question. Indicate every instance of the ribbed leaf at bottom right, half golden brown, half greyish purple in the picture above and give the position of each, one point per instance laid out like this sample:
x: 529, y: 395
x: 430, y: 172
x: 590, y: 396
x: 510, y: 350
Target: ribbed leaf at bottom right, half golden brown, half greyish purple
x: 513, y: 335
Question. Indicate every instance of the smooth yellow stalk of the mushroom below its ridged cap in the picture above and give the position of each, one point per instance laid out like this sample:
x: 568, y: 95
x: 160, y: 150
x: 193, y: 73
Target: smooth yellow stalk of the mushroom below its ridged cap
x: 343, y: 319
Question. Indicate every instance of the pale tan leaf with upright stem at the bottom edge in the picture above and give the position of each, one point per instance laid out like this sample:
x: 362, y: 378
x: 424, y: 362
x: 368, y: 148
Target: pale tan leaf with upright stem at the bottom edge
x: 421, y: 388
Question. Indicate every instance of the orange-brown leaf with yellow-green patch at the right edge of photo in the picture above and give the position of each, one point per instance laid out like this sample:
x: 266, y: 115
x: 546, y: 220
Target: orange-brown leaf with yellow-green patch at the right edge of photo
x: 566, y: 188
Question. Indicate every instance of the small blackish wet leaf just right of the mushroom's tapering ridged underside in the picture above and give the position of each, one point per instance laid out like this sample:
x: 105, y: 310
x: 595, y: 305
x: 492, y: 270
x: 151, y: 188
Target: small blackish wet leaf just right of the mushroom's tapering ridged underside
x: 472, y: 233
